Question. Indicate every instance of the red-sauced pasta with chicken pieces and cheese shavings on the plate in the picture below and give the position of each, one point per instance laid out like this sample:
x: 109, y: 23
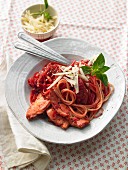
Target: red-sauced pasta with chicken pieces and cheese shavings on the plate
x: 75, y: 98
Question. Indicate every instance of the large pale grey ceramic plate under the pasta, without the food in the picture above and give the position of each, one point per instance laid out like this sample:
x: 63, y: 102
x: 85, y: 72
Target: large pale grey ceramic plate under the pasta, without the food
x: 17, y: 92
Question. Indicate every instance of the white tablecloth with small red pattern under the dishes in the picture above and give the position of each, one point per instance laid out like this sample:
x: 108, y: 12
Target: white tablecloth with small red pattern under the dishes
x: 101, y: 23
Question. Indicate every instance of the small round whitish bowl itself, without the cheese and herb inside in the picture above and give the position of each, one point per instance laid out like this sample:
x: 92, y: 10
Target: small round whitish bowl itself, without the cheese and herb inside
x: 42, y: 36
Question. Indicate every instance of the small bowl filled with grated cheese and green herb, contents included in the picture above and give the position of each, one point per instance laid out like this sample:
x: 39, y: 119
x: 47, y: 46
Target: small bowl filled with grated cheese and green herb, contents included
x: 40, y: 21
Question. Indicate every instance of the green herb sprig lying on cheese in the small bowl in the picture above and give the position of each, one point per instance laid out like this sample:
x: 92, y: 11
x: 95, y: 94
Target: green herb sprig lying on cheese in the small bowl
x: 47, y: 16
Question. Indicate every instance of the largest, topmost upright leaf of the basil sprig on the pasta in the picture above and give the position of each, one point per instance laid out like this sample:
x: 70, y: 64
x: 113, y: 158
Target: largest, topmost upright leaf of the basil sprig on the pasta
x: 99, y: 62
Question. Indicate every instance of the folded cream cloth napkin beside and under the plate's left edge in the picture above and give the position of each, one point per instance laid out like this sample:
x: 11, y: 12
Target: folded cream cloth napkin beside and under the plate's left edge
x: 19, y: 147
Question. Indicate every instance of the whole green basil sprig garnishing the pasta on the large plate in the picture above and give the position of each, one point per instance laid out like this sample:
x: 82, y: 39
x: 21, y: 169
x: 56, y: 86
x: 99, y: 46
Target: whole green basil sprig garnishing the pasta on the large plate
x: 98, y: 69
